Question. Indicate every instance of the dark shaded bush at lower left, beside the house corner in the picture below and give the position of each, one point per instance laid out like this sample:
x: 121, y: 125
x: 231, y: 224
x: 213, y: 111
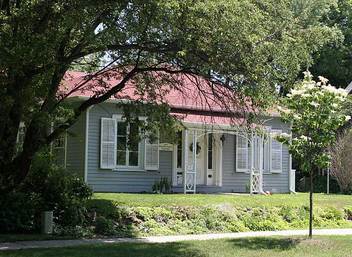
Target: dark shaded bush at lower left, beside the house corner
x: 48, y: 187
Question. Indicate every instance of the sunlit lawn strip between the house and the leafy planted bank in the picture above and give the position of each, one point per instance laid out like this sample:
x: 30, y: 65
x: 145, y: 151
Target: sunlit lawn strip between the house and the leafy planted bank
x: 240, y: 200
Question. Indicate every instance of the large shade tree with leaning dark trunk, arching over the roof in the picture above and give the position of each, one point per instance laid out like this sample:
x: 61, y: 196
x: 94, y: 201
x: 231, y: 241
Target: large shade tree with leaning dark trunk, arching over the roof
x: 246, y: 45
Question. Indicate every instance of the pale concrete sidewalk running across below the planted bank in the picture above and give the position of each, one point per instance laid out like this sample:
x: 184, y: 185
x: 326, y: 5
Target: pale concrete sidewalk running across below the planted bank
x: 167, y: 239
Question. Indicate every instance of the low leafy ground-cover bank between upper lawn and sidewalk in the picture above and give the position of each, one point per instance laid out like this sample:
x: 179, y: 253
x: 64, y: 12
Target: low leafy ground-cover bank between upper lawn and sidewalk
x: 166, y: 220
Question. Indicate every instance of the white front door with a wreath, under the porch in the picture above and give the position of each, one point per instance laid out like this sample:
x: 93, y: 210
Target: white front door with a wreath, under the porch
x: 200, y: 157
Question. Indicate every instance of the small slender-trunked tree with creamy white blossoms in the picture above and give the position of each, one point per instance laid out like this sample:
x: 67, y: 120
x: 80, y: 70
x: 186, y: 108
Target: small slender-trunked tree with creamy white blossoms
x: 315, y: 110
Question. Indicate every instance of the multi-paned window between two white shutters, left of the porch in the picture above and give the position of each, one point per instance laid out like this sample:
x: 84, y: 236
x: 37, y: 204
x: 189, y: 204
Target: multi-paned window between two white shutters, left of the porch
x: 127, y: 153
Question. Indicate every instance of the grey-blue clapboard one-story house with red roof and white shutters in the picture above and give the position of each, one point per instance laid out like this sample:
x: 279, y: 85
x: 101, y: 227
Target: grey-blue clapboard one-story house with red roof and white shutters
x: 212, y: 154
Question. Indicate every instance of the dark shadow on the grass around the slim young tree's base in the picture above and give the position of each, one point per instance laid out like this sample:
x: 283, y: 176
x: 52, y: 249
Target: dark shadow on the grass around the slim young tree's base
x: 263, y: 243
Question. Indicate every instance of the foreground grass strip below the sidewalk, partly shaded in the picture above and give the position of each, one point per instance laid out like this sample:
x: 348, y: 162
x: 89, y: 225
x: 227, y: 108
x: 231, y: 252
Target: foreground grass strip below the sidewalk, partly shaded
x: 250, y: 247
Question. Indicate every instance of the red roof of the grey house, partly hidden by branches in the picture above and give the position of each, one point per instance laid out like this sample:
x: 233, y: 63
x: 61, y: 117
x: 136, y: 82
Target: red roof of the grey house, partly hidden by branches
x: 195, y: 99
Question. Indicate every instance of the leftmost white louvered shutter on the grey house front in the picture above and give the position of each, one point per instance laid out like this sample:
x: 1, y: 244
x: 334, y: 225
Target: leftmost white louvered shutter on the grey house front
x: 108, y: 143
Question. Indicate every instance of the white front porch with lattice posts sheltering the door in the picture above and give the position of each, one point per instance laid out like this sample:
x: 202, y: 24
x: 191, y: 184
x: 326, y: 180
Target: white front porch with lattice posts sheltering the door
x: 198, y: 158
